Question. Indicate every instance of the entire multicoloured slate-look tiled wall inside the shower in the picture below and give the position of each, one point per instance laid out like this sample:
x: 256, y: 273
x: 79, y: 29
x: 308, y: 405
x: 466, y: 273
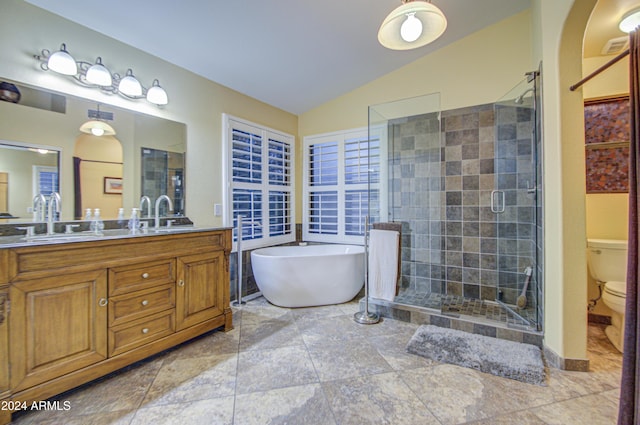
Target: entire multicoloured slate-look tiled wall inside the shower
x: 452, y: 242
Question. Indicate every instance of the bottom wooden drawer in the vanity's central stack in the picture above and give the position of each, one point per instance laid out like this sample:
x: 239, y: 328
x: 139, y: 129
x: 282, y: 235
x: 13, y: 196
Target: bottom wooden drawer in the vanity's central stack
x: 139, y: 332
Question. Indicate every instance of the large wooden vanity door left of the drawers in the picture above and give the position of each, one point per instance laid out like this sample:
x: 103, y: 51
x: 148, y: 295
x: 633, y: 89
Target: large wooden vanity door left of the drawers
x: 58, y: 325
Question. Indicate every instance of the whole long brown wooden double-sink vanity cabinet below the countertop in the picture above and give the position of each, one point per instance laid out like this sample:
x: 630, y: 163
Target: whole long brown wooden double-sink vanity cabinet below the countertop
x: 81, y: 310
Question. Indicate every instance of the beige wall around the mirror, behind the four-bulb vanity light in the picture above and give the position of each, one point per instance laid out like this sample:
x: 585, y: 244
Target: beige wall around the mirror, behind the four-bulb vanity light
x: 193, y: 100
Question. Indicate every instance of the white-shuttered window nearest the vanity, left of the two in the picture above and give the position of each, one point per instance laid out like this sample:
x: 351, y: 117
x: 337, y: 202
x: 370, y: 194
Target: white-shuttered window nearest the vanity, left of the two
x: 260, y: 167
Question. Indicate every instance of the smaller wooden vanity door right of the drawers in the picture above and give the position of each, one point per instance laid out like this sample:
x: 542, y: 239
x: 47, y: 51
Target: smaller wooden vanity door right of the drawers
x: 200, y: 291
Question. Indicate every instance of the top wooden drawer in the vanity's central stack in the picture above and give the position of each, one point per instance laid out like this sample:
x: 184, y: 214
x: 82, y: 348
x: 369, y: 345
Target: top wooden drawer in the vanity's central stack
x: 140, y: 276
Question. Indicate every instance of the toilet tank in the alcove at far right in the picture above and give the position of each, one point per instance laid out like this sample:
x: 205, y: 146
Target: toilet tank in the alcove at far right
x: 607, y: 259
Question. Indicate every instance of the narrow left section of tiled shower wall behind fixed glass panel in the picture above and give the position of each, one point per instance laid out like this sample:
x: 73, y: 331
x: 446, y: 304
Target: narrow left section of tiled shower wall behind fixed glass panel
x: 415, y: 177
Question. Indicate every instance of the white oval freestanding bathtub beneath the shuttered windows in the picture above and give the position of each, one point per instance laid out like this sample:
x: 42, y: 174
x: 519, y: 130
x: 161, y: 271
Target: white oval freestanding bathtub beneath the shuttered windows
x: 304, y: 276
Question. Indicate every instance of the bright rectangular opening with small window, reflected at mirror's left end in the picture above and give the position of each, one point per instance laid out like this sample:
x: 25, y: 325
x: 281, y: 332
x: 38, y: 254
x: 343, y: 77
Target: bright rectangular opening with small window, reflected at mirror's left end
x: 25, y: 171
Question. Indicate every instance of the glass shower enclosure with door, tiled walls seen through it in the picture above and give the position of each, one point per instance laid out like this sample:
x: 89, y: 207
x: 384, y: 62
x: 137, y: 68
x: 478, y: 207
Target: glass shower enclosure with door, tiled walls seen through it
x: 465, y: 186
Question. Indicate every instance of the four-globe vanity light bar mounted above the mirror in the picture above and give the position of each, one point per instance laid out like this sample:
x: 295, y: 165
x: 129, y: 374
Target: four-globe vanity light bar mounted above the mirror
x: 96, y: 75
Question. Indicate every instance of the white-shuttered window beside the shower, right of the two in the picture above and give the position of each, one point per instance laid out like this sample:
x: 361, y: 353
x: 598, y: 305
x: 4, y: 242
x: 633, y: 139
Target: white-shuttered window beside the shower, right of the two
x: 341, y: 185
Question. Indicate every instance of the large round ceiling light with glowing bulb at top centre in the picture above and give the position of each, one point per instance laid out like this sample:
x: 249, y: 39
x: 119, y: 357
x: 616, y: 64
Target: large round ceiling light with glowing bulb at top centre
x: 413, y: 24
